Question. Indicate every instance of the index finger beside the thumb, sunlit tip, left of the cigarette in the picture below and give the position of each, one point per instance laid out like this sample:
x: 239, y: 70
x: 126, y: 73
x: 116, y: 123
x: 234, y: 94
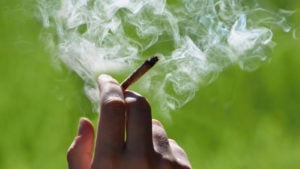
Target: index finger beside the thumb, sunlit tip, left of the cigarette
x: 110, y: 135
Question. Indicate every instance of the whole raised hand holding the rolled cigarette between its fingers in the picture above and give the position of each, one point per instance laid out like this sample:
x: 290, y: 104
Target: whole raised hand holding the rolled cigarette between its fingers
x: 146, y: 145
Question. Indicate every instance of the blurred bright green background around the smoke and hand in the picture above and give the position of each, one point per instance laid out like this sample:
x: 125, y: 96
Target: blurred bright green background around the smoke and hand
x: 243, y: 120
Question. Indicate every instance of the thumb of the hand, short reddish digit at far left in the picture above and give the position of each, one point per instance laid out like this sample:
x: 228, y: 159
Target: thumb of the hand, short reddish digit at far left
x: 80, y: 152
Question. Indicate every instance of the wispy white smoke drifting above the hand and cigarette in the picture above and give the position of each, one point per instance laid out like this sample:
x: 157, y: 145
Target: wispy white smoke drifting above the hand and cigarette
x: 195, y: 40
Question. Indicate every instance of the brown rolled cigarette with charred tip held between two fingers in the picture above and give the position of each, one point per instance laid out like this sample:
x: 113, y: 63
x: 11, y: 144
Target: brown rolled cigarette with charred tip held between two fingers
x: 139, y: 72
